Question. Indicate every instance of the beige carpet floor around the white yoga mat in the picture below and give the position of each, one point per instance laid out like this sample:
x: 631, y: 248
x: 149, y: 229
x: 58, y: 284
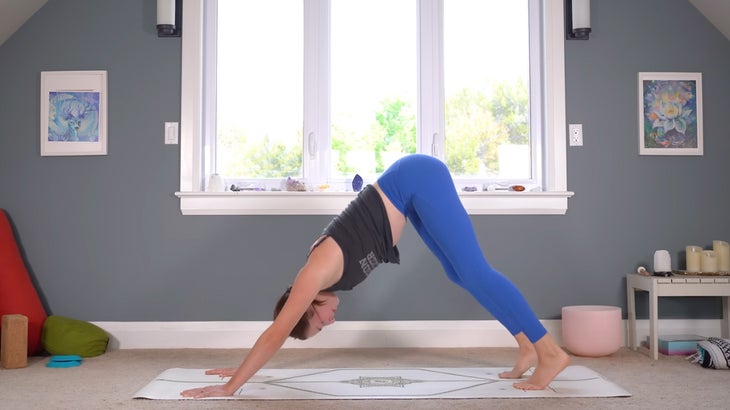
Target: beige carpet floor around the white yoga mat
x: 110, y: 381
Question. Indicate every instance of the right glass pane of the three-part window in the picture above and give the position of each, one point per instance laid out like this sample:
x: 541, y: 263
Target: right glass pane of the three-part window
x: 486, y: 75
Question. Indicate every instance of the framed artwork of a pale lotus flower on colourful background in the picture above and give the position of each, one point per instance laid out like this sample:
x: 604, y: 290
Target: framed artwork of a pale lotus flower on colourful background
x: 670, y: 114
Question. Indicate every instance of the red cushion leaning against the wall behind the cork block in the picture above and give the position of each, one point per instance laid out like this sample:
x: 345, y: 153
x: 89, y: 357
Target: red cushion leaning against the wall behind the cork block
x: 17, y: 293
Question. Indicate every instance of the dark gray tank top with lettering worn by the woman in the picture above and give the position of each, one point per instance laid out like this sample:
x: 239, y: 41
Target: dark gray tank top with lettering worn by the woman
x: 363, y: 233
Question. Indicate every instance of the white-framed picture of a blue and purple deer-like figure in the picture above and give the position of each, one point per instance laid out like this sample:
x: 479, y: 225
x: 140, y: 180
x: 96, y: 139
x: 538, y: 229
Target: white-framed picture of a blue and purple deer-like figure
x: 73, y: 113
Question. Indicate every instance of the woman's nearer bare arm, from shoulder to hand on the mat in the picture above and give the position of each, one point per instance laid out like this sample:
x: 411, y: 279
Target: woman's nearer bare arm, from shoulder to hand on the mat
x: 320, y: 272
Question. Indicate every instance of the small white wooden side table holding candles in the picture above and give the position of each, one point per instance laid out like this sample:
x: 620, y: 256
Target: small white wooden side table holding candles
x: 679, y: 285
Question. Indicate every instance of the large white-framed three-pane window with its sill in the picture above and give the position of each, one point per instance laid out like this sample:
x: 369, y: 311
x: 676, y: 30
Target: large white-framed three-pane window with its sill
x: 321, y: 102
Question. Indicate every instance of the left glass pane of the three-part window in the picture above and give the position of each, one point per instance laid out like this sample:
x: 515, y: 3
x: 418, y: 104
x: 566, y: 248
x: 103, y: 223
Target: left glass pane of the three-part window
x: 260, y: 64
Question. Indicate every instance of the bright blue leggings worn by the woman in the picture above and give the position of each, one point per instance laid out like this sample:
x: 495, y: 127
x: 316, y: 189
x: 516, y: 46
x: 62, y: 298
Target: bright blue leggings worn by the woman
x: 421, y: 187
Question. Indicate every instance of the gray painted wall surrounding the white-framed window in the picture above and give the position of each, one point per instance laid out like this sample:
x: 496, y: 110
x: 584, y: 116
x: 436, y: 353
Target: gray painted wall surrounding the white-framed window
x: 104, y: 239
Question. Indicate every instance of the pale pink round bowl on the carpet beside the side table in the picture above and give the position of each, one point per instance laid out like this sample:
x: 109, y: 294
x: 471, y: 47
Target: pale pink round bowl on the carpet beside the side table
x: 592, y: 330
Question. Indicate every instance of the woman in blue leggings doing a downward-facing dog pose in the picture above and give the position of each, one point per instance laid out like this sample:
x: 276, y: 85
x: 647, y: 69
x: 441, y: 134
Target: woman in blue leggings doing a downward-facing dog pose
x: 418, y: 188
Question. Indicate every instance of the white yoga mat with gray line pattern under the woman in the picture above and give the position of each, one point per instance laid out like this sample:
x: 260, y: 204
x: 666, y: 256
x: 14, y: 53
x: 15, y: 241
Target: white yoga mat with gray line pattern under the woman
x: 371, y: 384
